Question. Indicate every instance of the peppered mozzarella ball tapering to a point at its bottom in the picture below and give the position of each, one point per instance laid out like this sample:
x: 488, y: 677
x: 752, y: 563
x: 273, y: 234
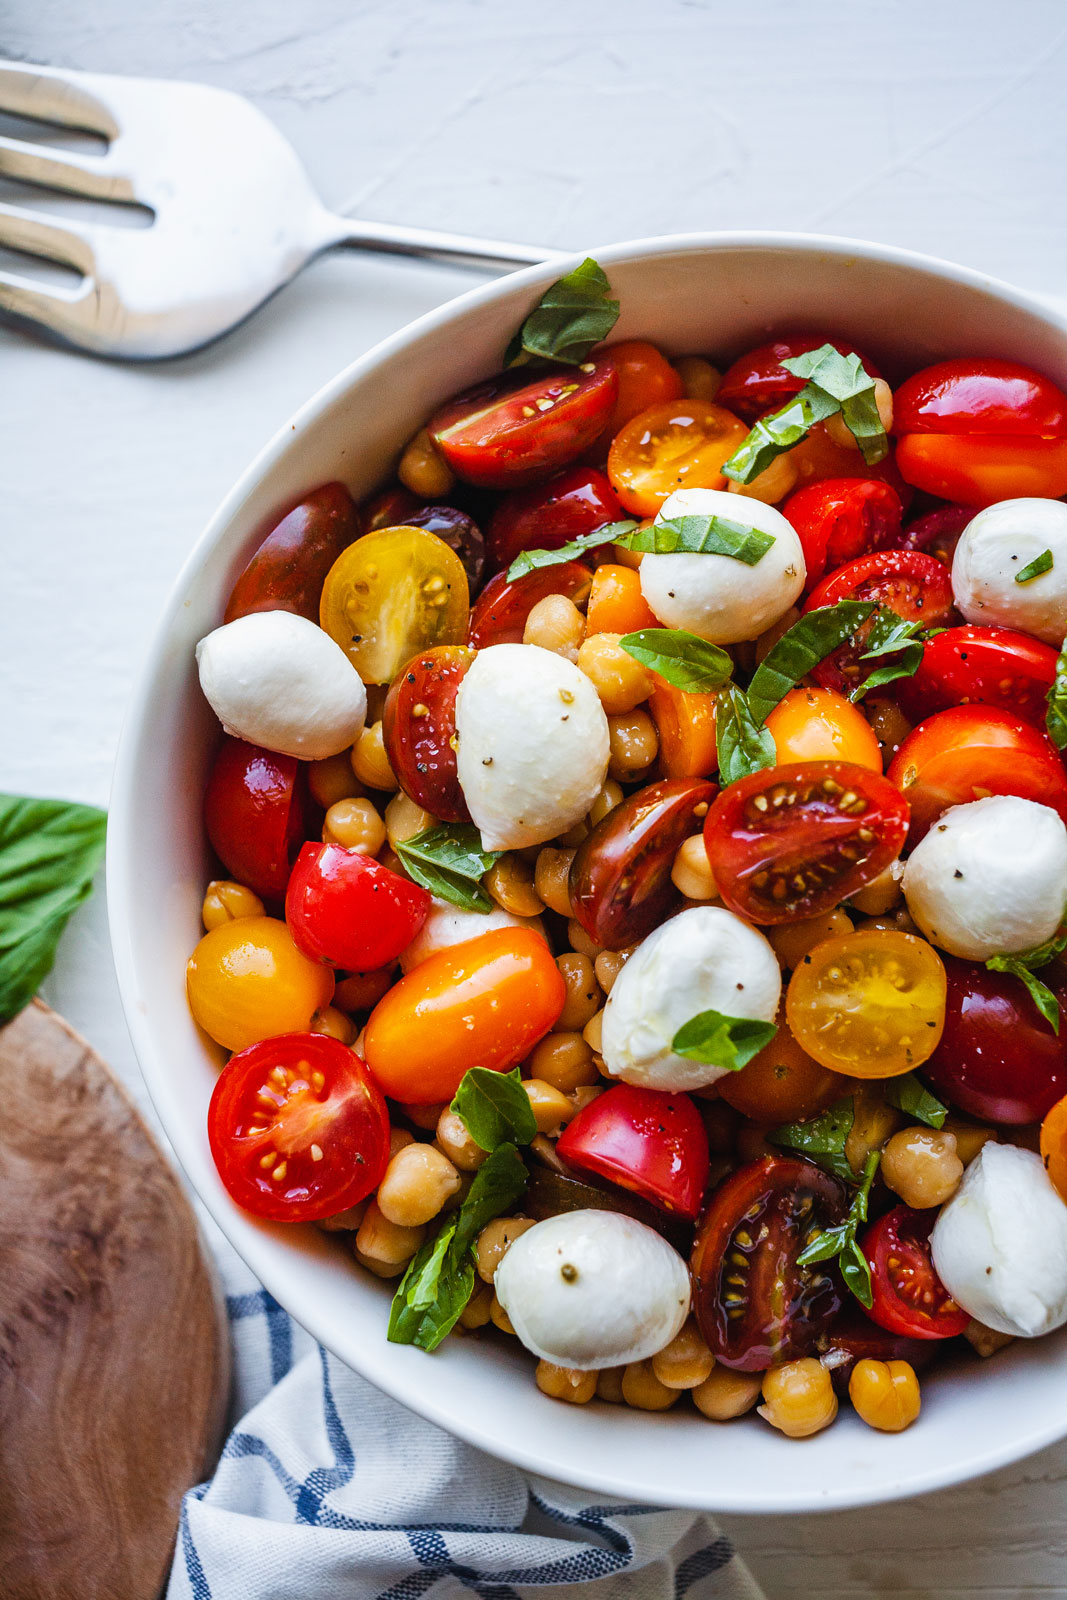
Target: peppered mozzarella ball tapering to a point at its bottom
x: 532, y: 745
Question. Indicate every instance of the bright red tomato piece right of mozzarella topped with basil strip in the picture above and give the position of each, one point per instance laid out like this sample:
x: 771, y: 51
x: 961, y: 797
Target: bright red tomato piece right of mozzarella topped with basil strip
x: 841, y: 519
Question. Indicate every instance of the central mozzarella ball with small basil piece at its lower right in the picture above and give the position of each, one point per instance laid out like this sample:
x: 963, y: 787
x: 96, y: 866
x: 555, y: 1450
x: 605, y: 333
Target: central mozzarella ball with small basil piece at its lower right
x: 701, y: 961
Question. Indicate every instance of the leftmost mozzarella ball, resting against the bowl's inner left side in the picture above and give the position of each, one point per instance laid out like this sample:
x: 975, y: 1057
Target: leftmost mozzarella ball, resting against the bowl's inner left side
x: 278, y: 681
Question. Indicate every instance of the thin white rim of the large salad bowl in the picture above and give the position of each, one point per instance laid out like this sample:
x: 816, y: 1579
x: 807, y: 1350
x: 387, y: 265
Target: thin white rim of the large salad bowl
x: 257, y: 1249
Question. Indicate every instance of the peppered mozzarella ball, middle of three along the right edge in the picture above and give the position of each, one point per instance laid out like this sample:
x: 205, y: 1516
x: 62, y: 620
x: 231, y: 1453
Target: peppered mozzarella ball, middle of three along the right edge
x: 989, y: 879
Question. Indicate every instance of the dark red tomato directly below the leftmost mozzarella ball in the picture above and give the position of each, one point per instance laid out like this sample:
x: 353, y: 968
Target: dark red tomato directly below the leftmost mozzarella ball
x: 258, y: 814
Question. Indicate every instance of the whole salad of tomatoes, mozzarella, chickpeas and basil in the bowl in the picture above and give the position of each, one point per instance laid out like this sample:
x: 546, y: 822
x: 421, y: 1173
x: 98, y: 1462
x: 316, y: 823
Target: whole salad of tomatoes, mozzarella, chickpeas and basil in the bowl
x: 645, y: 870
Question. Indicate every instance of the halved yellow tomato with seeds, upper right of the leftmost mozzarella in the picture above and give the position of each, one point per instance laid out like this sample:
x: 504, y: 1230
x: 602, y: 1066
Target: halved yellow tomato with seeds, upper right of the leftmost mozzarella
x: 393, y: 594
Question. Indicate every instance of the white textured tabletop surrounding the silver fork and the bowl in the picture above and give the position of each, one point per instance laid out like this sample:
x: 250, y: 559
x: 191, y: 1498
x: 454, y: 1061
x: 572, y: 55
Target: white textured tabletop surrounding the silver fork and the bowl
x: 940, y: 127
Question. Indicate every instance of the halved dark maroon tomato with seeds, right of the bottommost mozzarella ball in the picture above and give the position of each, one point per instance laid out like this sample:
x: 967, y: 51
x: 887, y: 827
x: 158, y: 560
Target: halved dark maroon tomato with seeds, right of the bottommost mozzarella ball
x: 756, y: 1305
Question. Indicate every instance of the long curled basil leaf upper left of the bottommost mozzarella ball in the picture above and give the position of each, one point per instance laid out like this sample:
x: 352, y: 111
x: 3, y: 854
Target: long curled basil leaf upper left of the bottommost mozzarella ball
x: 441, y: 1278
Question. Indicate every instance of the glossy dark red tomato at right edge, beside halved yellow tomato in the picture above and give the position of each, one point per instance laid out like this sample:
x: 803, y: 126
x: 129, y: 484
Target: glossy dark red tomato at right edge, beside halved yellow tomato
x: 999, y: 1060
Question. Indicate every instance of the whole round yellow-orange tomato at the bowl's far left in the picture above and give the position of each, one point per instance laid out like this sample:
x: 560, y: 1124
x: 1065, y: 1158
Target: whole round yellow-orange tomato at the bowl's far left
x: 249, y: 982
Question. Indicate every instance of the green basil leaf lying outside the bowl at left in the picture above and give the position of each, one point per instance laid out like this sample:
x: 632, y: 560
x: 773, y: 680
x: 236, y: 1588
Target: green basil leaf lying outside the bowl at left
x: 49, y: 854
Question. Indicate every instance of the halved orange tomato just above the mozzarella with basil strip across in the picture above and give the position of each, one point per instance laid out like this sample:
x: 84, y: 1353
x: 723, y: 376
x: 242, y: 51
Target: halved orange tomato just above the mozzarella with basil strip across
x: 674, y: 446
